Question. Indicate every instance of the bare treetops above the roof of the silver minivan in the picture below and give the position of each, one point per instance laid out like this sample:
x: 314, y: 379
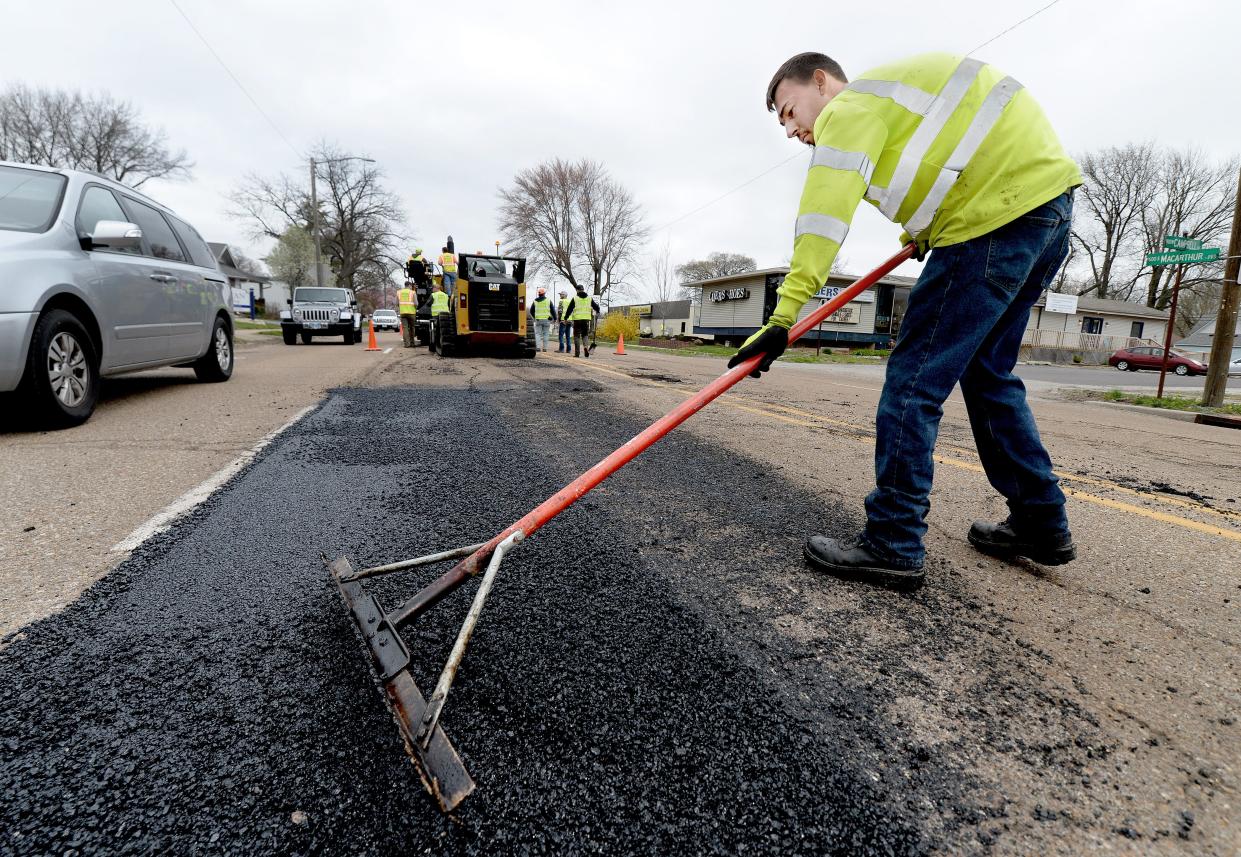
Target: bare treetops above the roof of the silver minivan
x: 85, y: 132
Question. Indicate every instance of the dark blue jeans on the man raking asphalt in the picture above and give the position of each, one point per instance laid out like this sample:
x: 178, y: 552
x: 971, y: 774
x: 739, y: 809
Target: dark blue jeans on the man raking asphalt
x: 965, y: 323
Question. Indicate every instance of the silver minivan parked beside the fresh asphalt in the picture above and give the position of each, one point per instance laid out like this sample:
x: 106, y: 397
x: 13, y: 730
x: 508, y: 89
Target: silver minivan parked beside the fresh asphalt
x: 97, y: 280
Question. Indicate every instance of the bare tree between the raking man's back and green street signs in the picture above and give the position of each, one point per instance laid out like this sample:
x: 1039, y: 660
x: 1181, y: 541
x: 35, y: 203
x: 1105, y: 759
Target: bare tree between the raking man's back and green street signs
x: 1121, y: 183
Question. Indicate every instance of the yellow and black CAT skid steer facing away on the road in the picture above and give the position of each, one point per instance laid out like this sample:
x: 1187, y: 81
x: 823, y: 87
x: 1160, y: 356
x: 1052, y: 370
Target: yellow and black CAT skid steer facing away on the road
x: 487, y: 311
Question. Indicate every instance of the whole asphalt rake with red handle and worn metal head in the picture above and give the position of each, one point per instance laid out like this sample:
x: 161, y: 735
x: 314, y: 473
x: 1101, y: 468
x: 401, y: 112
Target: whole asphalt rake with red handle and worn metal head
x: 419, y: 719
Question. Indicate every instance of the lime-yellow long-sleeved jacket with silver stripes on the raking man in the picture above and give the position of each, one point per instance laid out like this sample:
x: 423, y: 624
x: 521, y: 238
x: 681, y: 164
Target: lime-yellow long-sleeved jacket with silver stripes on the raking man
x: 950, y: 148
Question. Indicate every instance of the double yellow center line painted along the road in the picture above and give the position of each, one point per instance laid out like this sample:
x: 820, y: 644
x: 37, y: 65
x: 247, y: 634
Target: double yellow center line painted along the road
x: 816, y: 421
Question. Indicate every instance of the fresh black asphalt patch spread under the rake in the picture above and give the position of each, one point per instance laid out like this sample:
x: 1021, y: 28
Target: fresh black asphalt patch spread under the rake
x: 210, y: 696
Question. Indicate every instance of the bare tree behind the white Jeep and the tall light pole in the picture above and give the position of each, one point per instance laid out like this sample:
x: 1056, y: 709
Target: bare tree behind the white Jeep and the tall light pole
x: 363, y: 229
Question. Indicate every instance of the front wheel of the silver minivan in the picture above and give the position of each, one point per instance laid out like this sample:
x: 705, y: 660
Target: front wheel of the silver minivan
x: 63, y: 371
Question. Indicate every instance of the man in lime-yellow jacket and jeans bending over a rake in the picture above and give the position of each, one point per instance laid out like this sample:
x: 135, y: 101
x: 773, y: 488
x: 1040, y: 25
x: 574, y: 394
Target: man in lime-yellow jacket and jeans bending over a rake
x: 965, y: 159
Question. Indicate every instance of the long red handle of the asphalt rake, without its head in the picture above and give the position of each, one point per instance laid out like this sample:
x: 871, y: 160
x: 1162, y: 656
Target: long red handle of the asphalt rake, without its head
x: 645, y: 440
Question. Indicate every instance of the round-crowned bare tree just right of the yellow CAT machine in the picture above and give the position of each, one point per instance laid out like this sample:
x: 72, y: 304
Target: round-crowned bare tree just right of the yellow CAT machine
x: 576, y: 221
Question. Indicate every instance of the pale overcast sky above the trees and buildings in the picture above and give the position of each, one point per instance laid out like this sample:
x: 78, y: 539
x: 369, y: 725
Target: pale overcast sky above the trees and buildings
x: 454, y: 99
